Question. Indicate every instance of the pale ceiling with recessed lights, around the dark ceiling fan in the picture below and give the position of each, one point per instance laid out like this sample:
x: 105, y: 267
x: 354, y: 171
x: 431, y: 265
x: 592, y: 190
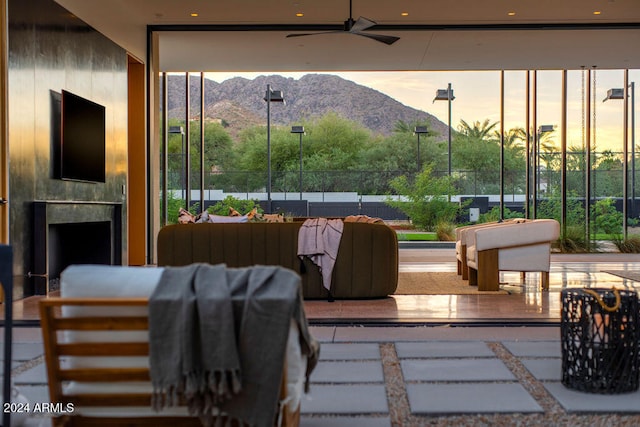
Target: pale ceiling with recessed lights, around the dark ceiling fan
x: 453, y: 34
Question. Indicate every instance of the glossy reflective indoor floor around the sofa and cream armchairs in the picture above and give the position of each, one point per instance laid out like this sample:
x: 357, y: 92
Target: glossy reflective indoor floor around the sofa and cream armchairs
x: 526, y: 304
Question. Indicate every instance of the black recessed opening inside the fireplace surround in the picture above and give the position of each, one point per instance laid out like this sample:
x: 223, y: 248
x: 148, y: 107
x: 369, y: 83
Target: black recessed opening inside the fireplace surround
x: 78, y: 243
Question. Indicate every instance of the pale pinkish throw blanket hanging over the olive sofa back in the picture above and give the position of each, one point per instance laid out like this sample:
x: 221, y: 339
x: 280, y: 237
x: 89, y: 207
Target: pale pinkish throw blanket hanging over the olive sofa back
x: 319, y: 239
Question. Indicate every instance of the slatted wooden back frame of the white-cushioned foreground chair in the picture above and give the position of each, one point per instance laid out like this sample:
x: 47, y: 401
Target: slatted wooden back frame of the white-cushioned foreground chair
x: 107, y: 395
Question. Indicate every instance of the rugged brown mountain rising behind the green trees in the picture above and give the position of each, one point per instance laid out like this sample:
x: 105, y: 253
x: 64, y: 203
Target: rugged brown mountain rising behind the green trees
x: 239, y: 102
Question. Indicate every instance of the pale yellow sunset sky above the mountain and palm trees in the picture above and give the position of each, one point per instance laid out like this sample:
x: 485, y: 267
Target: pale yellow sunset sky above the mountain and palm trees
x: 477, y: 97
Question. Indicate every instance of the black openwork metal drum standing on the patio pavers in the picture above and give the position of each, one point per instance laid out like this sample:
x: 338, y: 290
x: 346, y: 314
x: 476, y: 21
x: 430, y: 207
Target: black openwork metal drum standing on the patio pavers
x: 600, y: 340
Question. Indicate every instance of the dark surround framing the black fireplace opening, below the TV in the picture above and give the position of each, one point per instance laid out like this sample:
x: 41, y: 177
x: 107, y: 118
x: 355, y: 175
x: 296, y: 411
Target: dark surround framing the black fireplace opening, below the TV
x: 53, y: 212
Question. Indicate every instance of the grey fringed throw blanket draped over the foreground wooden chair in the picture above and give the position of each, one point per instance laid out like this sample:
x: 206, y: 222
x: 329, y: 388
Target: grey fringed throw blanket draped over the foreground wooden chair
x: 217, y: 339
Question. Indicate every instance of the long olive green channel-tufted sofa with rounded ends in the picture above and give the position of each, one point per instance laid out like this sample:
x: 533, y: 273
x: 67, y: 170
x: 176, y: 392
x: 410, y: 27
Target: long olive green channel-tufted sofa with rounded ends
x: 366, y: 267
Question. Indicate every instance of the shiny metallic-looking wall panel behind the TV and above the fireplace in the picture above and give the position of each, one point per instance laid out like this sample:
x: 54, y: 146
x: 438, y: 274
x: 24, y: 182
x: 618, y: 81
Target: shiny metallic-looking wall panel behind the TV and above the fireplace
x: 51, y: 50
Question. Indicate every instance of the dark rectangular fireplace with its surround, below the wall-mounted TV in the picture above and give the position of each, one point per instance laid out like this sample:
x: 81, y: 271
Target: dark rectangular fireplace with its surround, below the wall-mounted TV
x: 72, y: 232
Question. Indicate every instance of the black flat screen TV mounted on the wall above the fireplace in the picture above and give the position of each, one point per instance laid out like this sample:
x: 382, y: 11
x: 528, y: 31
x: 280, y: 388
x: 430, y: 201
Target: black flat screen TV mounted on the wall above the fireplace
x: 82, y: 152
